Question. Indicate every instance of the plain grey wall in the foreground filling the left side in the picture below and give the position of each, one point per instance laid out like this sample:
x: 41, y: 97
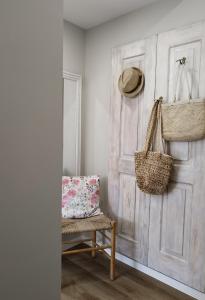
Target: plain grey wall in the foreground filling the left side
x: 30, y: 149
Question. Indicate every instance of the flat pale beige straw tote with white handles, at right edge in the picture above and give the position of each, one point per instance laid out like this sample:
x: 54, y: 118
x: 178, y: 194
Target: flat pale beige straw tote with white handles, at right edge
x: 183, y: 120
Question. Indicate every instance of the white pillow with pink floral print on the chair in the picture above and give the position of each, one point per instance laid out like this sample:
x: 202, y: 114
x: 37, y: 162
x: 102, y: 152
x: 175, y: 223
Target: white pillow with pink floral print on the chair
x: 80, y: 196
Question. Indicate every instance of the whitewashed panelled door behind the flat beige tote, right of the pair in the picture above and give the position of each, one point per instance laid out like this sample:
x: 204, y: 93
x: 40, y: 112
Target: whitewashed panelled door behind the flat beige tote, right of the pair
x: 177, y: 219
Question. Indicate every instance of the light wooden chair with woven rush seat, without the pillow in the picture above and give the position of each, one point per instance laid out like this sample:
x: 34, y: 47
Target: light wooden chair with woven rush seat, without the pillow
x: 98, y: 223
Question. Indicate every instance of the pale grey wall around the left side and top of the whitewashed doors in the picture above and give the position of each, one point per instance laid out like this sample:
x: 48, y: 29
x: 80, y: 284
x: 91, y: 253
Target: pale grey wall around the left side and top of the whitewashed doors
x: 154, y: 18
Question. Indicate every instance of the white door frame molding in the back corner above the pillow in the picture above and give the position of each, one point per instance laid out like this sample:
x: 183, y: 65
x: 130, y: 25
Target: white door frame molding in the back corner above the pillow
x: 77, y: 126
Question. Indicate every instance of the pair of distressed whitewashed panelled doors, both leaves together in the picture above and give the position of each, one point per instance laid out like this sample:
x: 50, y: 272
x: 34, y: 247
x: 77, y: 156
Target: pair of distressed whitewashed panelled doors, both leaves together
x: 164, y: 232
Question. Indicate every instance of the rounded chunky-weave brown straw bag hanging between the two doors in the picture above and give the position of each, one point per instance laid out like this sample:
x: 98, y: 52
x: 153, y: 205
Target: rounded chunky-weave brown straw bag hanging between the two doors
x: 153, y: 169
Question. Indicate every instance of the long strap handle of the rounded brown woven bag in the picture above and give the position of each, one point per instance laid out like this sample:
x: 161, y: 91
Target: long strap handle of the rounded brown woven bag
x: 155, y: 117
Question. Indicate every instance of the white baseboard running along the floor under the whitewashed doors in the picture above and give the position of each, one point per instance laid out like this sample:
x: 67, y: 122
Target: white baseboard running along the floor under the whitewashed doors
x: 159, y: 276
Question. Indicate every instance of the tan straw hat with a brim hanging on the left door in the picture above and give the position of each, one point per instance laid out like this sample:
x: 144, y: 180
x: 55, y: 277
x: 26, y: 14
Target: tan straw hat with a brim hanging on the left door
x: 131, y: 82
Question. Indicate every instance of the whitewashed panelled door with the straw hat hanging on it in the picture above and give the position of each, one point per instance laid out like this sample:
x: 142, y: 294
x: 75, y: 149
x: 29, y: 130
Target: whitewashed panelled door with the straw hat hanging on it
x: 128, y: 119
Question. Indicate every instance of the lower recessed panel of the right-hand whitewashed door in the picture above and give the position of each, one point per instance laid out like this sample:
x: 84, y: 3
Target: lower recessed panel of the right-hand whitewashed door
x: 176, y: 208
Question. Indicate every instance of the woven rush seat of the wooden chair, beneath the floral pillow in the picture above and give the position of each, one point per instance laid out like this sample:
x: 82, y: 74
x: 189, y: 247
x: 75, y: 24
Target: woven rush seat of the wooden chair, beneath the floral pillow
x: 100, y: 222
